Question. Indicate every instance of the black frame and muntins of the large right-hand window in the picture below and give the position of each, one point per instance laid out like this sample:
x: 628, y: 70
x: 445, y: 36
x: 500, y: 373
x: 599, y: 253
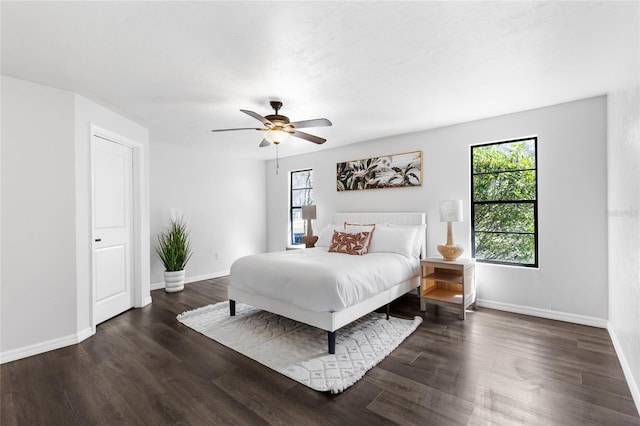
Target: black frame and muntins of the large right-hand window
x: 534, y: 202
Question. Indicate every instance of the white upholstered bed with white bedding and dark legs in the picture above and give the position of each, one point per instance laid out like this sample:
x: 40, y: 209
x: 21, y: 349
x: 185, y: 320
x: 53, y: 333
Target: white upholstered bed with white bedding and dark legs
x: 330, y: 290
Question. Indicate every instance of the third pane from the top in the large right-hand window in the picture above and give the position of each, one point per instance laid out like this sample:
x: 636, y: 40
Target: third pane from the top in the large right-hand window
x: 504, y: 217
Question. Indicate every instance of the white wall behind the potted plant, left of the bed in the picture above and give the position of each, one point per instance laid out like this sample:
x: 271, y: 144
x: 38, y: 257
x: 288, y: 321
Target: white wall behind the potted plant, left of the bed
x: 221, y: 198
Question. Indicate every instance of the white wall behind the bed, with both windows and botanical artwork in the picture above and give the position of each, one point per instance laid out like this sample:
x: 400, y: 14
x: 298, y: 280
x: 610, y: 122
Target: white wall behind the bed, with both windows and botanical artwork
x: 571, y: 282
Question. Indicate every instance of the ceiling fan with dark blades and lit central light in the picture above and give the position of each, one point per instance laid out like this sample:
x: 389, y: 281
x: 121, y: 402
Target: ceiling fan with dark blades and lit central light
x: 278, y: 128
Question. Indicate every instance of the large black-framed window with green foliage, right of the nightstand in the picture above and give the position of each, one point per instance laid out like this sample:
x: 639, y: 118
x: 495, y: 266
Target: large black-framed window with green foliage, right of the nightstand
x: 504, y: 205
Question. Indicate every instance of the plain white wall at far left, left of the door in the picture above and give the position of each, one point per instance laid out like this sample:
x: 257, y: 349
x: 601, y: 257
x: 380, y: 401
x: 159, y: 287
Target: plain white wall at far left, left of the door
x: 38, y: 215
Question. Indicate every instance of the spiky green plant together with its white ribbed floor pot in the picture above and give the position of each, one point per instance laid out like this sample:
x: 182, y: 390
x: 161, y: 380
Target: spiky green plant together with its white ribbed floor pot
x: 174, y: 249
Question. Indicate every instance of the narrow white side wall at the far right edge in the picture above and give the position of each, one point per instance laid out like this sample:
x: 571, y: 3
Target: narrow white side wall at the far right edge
x: 623, y: 156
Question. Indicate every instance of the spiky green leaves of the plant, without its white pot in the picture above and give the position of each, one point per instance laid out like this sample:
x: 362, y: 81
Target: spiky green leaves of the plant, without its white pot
x: 174, y: 247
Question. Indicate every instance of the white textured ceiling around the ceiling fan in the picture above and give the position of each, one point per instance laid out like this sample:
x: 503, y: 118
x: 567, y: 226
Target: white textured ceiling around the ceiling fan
x: 374, y: 68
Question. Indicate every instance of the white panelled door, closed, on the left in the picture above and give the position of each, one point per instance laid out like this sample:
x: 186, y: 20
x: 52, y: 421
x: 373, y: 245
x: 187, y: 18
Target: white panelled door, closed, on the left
x: 112, y: 228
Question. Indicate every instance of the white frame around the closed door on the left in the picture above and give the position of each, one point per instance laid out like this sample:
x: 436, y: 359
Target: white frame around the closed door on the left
x: 139, y: 196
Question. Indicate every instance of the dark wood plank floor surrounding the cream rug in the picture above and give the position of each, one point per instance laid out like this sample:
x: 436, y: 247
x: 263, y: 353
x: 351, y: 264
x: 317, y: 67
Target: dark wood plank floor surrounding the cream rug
x: 143, y: 367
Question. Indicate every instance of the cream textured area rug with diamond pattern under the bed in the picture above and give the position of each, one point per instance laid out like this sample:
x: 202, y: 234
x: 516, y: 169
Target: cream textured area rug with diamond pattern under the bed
x: 299, y: 351
